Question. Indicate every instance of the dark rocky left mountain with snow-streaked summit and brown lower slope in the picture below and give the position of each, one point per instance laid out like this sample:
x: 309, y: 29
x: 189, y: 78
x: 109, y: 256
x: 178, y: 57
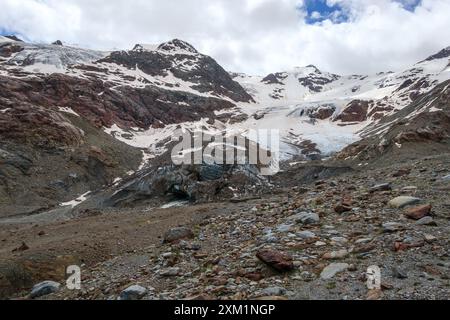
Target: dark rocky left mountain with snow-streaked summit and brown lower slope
x: 62, y: 108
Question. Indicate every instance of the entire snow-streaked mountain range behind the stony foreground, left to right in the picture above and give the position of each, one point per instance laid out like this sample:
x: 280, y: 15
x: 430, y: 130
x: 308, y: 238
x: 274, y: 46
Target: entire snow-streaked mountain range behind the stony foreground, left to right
x: 98, y: 117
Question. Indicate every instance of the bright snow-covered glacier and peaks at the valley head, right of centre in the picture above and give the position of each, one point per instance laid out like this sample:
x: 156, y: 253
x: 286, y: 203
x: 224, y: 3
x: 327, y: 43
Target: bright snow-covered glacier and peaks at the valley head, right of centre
x: 321, y: 113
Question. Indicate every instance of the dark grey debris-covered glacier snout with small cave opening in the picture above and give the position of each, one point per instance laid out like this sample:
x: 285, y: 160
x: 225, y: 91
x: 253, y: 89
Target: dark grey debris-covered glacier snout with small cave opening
x: 195, y: 183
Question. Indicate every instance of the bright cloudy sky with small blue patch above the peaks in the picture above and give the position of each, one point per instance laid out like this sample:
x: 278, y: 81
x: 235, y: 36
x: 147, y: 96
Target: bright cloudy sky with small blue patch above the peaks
x: 251, y: 36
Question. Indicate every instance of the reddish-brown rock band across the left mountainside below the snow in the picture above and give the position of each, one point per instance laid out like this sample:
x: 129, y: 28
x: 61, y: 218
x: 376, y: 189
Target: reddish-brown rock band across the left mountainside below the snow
x: 100, y: 104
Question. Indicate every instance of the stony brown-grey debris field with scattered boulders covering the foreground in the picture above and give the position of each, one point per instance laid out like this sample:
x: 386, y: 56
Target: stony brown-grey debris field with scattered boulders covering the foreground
x: 310, y: 241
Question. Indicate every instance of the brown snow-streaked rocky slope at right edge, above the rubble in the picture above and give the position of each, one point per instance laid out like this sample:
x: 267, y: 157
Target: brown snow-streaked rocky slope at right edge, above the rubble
x: 423, y: 125
